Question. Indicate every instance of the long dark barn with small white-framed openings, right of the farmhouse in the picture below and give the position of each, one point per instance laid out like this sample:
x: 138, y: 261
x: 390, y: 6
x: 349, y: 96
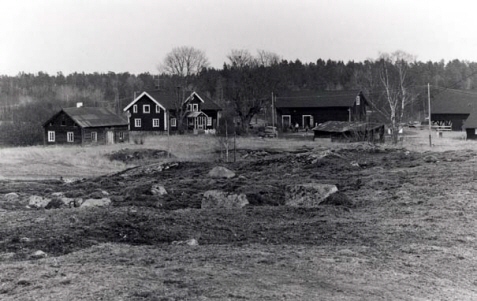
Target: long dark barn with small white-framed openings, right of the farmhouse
x: 310, y: 108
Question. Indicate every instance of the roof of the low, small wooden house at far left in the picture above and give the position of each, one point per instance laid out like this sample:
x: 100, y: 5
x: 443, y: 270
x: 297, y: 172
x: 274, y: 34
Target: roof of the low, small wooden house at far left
x: 91, y: 117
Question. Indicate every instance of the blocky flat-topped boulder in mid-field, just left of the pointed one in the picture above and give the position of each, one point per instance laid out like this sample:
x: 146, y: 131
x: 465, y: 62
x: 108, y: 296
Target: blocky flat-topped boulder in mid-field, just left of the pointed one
x: 222, y: 199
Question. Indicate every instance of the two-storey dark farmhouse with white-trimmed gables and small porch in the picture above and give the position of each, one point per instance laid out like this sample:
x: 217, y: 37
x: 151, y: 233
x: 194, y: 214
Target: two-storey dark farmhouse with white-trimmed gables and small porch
x: 162, y: 111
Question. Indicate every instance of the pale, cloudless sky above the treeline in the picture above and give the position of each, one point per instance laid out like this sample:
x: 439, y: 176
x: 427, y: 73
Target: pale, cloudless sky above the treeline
x: 135, y: 35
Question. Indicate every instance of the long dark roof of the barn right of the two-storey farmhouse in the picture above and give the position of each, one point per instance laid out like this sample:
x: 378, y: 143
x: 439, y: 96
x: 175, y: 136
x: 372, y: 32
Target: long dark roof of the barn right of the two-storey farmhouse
x: 318, y: 99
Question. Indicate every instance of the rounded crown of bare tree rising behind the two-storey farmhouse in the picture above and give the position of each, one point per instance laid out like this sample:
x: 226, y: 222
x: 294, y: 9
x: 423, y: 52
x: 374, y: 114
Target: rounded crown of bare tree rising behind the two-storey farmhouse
x: 184, y: 62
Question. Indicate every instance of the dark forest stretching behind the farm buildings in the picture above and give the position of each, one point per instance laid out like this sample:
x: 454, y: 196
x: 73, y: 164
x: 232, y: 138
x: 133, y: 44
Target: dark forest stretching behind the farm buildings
x: 28, y: 100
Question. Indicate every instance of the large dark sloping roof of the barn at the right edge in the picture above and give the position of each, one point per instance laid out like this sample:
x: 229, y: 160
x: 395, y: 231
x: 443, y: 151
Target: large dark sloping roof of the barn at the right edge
x: 449, y: 101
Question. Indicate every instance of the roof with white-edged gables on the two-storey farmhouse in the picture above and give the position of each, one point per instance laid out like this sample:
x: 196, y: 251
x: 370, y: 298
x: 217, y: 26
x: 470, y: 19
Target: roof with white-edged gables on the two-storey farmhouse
x: 168, y: 100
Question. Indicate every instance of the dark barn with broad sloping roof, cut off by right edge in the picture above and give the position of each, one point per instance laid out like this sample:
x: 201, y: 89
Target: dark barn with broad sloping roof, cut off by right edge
x: 452, y: 107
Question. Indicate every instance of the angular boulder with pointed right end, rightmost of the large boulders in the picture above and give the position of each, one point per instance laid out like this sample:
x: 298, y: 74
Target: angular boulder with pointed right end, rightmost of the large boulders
x: 308, y: 195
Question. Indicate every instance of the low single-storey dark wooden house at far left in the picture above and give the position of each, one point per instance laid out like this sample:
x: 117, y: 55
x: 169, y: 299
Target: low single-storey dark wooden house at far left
x: 84, y: 125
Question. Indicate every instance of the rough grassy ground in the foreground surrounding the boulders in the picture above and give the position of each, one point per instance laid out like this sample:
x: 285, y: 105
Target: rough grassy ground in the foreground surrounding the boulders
x: 408, y: 233
